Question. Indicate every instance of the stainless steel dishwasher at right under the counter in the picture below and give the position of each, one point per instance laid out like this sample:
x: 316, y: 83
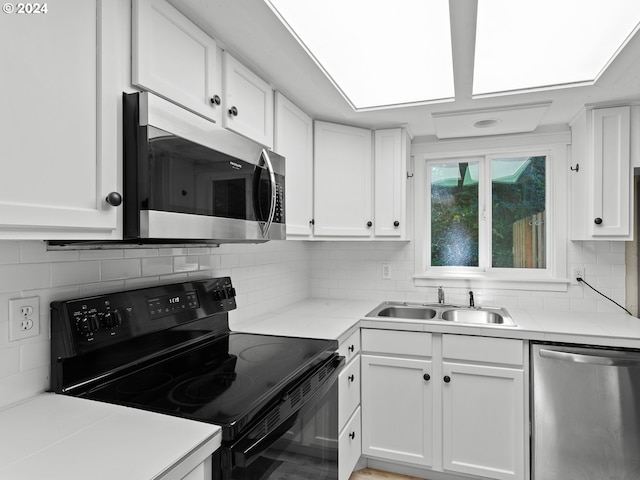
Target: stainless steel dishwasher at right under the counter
x: 586, y: 413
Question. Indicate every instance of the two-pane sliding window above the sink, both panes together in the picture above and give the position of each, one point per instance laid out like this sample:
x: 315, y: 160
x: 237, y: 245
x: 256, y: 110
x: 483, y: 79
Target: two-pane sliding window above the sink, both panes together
x: 510, y: 210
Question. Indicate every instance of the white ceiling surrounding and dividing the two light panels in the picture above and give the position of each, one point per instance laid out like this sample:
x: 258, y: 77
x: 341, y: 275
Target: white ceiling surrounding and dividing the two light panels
x: 250, y: 31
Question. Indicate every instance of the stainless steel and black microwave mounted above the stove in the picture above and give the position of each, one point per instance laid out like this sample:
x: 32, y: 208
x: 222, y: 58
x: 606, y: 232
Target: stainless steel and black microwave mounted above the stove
x: 186, y: 178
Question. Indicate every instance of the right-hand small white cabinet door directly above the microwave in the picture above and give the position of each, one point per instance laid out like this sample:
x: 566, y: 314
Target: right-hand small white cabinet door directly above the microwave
x: 248, y: 102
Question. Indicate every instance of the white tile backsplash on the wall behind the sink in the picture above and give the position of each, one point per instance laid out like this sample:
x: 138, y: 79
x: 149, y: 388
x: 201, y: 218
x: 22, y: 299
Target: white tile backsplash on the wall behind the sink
x: 353, y: 270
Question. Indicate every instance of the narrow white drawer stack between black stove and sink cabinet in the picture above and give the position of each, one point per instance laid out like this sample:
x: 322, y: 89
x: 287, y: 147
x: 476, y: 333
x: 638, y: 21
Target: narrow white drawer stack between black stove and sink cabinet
x: 349, y: 430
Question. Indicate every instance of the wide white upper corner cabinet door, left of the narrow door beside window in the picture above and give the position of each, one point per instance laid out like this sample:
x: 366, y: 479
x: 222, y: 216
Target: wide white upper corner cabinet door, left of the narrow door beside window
x: 343, y: 181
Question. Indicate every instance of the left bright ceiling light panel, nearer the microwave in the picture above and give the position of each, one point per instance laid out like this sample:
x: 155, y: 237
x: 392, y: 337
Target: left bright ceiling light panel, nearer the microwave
x: 376, y: 52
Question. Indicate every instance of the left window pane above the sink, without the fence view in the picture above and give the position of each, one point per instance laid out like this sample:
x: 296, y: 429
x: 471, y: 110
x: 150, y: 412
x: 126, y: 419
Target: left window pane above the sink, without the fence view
x: 454, y: 213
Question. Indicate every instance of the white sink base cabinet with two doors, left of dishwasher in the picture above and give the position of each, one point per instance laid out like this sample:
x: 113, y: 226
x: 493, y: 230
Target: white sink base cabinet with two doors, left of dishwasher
x: 457, y: 406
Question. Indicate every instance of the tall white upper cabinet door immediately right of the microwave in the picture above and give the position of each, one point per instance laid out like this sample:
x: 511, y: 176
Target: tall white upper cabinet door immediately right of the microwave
x: 293, y: 139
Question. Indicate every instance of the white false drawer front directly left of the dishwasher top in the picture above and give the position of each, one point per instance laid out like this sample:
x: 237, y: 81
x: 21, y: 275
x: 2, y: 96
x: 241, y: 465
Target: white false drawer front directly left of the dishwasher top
x: 483, y: 349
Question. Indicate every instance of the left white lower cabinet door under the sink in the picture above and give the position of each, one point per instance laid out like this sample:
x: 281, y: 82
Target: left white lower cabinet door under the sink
x: 397, y: 409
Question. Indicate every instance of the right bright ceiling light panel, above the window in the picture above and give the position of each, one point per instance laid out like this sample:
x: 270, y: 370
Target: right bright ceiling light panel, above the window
x: 530, y: 44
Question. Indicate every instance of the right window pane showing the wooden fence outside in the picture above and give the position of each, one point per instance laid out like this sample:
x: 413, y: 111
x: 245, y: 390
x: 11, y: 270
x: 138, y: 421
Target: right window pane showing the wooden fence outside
x: 518, y: 206
